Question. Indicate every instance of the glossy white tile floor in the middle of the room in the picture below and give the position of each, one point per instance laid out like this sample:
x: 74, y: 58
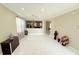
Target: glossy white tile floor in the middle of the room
x: 41, y: 45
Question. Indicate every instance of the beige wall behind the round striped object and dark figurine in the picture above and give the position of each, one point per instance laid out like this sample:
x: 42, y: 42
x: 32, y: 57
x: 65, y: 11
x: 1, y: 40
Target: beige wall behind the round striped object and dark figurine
x: 68, y: 24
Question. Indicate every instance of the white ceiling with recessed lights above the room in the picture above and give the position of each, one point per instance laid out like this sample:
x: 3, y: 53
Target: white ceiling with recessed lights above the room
x: 41, y: 10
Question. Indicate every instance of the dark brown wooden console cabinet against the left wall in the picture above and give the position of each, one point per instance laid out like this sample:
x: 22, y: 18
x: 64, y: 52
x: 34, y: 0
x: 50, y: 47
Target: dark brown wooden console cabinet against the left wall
x: 9, y: 45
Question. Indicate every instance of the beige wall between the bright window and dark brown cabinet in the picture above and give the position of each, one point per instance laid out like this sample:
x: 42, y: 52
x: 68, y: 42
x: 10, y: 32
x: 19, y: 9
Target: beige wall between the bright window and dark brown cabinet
x: 7, y: 22
